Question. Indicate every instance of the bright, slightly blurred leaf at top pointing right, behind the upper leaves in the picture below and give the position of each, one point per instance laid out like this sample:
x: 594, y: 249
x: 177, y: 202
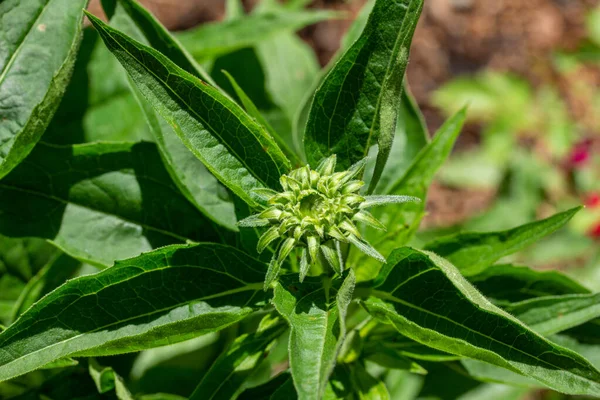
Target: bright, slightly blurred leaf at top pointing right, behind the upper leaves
x: 214, y: 39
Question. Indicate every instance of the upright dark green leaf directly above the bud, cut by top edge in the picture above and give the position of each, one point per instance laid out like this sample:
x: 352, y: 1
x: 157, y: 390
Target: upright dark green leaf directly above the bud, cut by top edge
x: 345, y: 115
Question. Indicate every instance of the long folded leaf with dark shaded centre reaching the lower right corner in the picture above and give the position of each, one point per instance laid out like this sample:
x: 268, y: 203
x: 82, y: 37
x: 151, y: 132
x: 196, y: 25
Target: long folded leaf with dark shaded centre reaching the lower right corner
x: 452, y: 316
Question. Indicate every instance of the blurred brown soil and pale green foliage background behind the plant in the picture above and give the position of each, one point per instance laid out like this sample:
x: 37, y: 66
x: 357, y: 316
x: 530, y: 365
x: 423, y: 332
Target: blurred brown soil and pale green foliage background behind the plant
x: 530, y: 72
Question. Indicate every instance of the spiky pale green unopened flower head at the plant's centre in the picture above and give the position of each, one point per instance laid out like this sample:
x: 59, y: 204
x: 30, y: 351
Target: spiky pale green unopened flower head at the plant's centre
x: 317, y: 212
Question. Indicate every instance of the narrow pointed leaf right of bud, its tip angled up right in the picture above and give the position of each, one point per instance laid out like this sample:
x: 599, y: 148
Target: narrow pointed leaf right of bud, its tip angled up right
x: 472, y: 252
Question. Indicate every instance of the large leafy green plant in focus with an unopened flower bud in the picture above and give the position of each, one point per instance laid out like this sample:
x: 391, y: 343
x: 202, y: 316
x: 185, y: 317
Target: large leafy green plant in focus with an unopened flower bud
x: 170, y: 232
